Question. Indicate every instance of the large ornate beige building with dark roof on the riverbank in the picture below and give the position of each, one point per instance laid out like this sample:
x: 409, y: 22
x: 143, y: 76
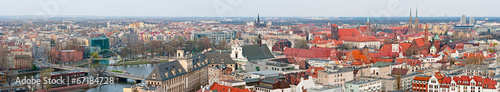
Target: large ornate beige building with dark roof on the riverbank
x: 174, y: 77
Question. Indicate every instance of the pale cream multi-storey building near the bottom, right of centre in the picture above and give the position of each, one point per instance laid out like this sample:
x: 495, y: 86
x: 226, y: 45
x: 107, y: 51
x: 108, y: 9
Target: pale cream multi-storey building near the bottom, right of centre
x: 336, y: 77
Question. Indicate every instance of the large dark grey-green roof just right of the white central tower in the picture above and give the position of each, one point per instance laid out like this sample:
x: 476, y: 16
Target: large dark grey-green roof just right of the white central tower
x: 256, y: 52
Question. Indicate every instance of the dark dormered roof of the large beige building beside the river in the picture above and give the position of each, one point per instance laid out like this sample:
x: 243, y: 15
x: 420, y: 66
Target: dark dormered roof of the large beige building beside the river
x: 166, y: 71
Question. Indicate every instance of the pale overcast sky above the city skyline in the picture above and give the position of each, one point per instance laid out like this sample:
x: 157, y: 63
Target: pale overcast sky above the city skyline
x: 250, y: 8
